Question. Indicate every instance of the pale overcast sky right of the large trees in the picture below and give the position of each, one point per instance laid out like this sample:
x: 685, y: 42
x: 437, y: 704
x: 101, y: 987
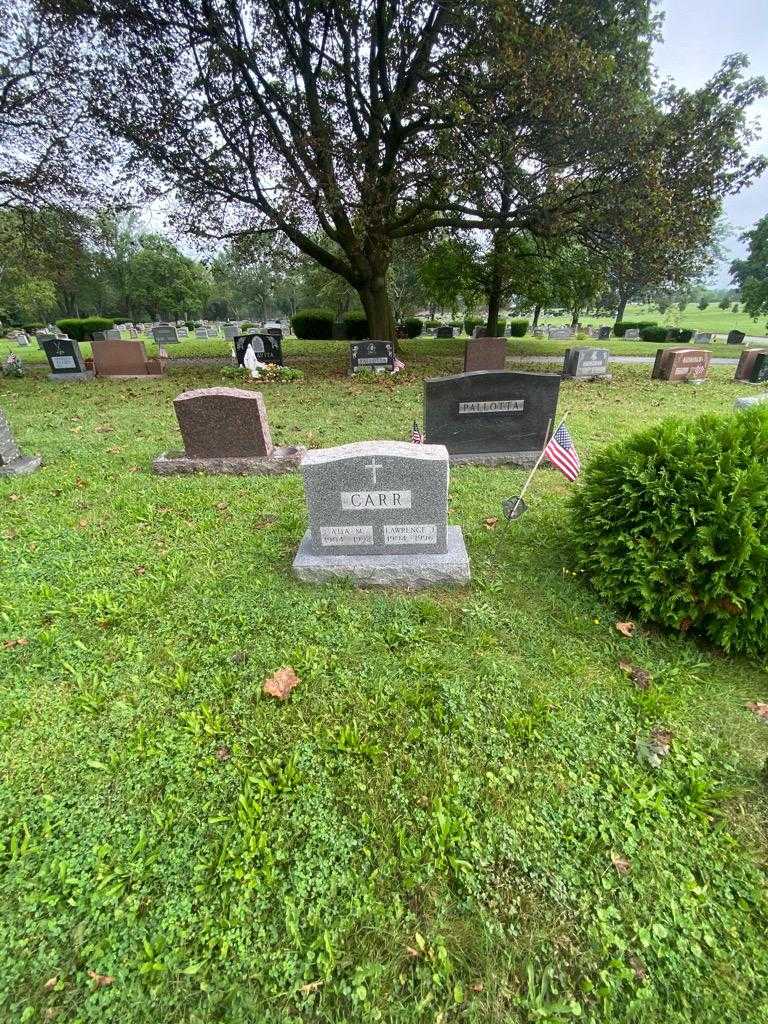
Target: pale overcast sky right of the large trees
x: 698, y: 34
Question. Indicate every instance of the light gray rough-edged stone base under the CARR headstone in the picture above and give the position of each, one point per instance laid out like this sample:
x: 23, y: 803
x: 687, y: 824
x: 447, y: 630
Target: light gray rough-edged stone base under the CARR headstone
x: 402, y: 572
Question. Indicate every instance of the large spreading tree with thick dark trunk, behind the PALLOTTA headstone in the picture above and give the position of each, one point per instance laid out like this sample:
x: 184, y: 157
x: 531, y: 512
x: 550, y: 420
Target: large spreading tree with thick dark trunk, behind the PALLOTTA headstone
x: 350, y: 125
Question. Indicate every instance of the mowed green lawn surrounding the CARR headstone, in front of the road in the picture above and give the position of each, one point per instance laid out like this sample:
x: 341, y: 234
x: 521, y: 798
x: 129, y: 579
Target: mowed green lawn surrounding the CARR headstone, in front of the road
x: 448, y: 821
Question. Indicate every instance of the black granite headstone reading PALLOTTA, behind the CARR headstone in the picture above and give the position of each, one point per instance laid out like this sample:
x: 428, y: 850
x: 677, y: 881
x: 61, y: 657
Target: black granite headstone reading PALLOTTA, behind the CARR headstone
x: 491, y: 417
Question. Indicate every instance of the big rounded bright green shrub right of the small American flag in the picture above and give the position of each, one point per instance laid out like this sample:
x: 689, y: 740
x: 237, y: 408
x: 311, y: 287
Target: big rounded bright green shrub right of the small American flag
x: 670, y: 525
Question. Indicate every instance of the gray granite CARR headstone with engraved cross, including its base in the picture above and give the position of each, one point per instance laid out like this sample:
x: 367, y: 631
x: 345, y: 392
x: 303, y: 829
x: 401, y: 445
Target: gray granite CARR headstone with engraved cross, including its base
x: 378, y: 514
